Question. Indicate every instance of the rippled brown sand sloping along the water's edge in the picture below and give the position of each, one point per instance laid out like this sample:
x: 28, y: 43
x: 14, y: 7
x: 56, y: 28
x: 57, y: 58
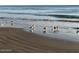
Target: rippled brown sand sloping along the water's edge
x: 17, y: 40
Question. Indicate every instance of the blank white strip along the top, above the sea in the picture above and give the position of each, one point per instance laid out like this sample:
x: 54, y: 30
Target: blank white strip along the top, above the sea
x: 39, y: 2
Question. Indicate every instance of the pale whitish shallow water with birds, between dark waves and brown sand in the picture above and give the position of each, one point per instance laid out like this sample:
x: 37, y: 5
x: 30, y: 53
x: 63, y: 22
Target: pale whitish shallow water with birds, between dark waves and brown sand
x: 65, y: 29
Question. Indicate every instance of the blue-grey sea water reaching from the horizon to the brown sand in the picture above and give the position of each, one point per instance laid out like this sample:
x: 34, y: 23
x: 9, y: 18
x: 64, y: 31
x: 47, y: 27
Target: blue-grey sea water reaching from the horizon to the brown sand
x: 65, y: 17
